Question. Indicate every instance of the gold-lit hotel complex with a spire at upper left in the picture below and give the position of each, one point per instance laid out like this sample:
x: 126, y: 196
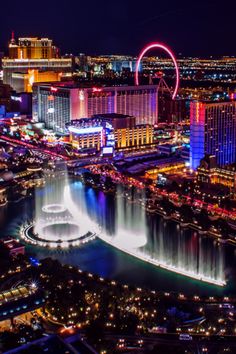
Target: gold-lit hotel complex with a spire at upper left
x: 33, y: 60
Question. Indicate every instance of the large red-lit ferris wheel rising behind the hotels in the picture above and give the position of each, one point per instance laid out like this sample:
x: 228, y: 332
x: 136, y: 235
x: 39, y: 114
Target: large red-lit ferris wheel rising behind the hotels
x: 170, y: 53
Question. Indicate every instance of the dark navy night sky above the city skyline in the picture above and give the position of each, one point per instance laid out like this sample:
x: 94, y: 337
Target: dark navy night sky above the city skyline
x: 200, y: 28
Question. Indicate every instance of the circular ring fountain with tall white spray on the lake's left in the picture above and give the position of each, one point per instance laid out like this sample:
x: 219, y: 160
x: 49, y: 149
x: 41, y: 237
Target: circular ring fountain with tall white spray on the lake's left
x: 59, y: 223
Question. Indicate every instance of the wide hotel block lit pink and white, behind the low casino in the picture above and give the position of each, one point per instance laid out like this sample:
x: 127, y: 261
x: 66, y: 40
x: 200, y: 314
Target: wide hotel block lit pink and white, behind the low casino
x: 59, y: 104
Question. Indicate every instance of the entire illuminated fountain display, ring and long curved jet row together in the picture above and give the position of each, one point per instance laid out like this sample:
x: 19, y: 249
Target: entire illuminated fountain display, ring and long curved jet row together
x: 60, y: 222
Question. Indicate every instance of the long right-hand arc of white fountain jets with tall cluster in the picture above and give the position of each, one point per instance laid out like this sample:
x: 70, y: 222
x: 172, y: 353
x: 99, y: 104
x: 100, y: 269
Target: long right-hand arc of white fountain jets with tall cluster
x: 140, y: 237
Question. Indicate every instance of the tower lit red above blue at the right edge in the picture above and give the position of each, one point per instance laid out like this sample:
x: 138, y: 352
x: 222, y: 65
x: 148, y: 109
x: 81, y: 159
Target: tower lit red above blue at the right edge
x: 213, y: 132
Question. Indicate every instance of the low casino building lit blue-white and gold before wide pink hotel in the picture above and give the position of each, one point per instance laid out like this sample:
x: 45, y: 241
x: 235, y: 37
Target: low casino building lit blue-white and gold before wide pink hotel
x: 107, y: 132
